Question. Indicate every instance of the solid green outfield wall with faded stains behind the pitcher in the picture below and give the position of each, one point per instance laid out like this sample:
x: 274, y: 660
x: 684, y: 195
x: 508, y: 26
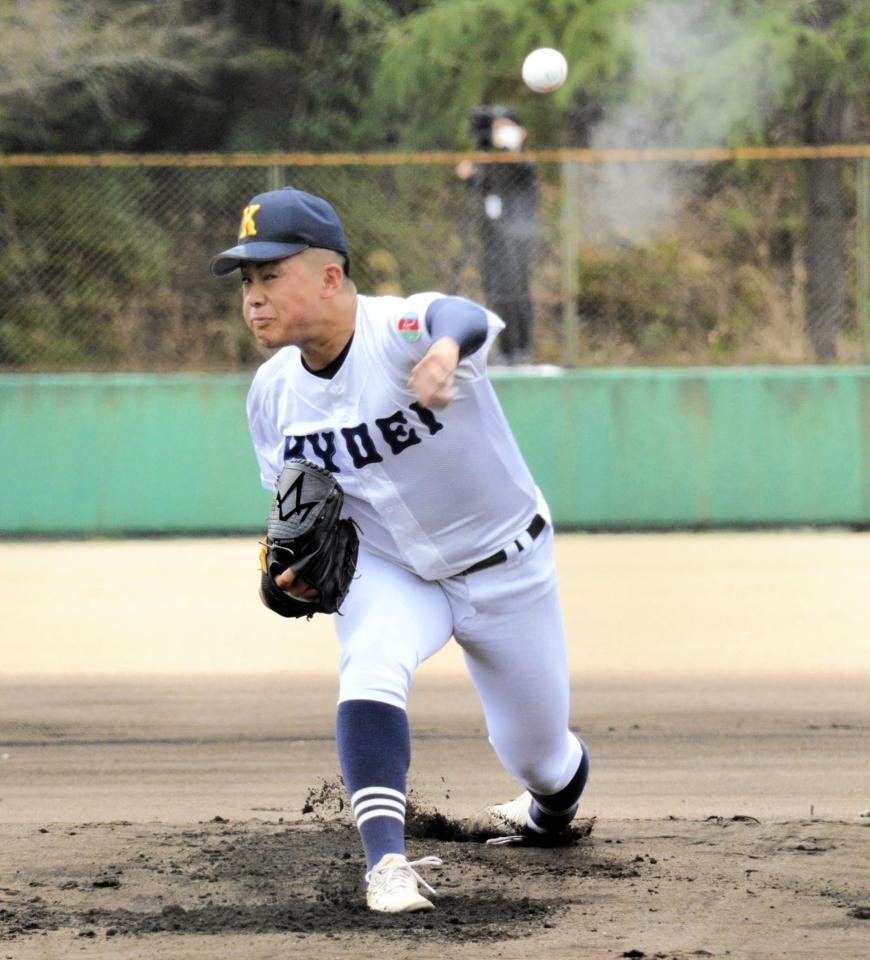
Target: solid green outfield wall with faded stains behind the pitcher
x: 115, y: 454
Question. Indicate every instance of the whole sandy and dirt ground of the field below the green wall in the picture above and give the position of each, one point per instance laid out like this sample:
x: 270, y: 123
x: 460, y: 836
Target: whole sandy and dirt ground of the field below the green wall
x: 157, y: 751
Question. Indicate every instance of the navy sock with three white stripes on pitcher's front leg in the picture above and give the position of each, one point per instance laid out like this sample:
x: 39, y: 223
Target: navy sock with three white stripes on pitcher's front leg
x: 374, y: 751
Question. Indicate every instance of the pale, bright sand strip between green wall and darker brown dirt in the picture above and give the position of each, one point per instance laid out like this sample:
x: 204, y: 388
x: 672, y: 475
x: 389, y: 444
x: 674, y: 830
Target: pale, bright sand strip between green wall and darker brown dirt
x: 700, y: 604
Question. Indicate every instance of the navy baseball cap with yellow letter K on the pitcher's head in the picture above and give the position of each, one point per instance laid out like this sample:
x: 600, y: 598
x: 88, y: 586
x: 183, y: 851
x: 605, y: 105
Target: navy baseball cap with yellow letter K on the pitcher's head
x: 280, y: 223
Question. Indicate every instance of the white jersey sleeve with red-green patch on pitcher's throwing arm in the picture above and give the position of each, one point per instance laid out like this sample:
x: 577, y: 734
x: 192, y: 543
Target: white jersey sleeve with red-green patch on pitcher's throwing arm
x: 406, y: 337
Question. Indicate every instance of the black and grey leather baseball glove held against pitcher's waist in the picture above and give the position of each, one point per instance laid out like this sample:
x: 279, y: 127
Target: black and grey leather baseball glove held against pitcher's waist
x: 304, y: 533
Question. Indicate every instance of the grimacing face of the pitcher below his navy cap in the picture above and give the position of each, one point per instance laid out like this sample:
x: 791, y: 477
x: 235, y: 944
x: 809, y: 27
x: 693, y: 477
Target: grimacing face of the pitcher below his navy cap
x: 280, y: 300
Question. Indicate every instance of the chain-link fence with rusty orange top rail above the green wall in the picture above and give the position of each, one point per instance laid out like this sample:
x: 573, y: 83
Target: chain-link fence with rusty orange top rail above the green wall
x: 593, y: 259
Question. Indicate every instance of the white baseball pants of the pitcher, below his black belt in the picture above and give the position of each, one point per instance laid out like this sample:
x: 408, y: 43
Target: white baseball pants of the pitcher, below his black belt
x: 508, y: 621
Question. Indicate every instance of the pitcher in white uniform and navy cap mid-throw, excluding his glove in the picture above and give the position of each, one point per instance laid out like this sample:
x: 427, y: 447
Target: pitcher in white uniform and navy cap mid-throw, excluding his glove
x: 390, y: 396
